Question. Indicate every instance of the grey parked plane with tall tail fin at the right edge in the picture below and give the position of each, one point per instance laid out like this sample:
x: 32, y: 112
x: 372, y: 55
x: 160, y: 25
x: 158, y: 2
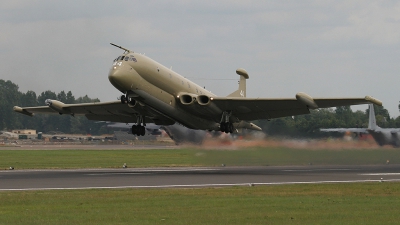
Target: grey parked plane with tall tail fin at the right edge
x: 382, y: 136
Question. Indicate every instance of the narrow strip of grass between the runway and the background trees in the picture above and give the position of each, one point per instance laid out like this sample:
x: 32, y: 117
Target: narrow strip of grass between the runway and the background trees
x: 256, y: 156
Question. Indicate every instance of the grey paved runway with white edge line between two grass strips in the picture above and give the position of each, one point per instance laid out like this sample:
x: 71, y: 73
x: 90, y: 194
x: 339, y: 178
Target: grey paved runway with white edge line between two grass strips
x: 192, y: 177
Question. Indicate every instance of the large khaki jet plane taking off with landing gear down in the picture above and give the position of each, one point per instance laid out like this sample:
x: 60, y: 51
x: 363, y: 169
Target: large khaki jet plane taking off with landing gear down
x: 153, y: 93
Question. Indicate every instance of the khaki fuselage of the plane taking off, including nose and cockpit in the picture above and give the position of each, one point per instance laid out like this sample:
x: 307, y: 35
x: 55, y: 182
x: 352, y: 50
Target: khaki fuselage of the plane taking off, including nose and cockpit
x: 150, y: 83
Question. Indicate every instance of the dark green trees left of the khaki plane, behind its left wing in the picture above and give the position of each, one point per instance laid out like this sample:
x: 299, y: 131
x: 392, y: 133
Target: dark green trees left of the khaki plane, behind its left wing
x: 10, y: 96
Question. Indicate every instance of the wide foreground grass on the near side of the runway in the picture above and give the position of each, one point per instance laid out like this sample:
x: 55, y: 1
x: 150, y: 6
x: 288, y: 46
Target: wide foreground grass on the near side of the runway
x: 368, y: 203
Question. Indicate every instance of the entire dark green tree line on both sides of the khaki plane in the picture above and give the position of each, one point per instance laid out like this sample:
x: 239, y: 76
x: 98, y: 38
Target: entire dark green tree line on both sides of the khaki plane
x: 297, y: 126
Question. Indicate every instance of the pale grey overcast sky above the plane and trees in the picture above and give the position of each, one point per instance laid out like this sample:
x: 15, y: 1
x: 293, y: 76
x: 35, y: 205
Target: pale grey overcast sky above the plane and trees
x: 323, y: 48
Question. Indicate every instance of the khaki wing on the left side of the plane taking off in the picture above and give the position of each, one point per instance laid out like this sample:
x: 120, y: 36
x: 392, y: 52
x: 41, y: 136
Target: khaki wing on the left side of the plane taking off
x: 102, y: 111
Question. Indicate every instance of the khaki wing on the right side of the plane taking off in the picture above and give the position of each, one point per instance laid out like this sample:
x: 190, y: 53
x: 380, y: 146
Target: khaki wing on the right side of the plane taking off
x: 264, y: 108
